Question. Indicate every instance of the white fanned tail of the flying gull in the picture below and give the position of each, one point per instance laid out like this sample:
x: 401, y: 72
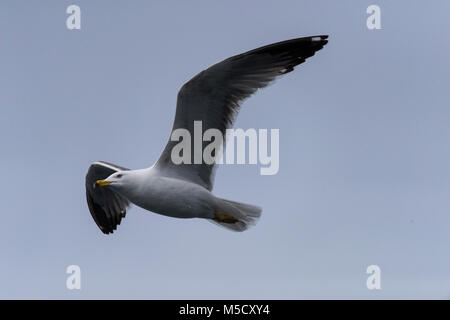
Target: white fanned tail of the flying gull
x: 235, y: 216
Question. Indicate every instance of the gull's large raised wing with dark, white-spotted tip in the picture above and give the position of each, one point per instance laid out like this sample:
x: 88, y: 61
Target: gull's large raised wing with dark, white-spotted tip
x: 213, y: 96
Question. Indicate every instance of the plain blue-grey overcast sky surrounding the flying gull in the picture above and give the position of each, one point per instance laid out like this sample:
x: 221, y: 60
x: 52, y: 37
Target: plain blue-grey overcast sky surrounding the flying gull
x: 364, y: 150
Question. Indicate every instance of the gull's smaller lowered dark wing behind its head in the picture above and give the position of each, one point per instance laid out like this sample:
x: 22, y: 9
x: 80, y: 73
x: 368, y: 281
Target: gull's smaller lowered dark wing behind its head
x: 106, y: 206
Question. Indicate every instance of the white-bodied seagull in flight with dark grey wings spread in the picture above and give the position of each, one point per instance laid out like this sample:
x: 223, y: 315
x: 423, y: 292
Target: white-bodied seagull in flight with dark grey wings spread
x: 184, y: 190
